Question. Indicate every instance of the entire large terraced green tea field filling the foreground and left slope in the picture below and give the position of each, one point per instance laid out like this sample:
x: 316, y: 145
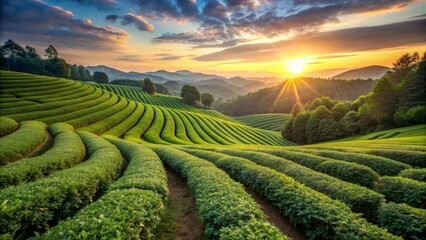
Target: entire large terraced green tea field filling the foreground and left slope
x: 79, y: 162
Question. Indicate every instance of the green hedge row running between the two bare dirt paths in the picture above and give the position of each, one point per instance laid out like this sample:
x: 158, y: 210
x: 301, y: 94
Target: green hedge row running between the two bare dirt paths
x: 224, y: 206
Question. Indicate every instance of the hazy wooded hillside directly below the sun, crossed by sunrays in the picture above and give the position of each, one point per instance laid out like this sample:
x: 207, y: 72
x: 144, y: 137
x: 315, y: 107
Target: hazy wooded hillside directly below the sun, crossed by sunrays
x: 282, y: 97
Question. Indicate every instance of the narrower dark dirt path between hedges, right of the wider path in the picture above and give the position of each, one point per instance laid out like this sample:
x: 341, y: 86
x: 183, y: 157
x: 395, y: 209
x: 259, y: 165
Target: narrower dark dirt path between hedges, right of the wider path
x: 274, y: 216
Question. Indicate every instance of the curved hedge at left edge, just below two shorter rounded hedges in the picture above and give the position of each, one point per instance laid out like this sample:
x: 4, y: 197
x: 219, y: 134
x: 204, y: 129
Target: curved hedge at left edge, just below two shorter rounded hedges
x: 67, y: 151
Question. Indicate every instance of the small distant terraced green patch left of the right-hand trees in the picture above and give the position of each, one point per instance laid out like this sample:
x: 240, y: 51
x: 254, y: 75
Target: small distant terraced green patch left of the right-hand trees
x: 268, y: 121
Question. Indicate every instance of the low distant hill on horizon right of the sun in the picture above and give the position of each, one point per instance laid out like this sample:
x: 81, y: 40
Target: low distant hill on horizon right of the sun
x: 373, y: 72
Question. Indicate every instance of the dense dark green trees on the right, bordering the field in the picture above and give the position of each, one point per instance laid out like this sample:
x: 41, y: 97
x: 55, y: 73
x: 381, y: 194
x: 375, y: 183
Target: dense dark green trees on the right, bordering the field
x: 397, y: 99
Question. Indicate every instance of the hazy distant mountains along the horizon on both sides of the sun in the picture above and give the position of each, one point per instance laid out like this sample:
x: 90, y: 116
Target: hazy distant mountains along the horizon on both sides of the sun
x: 222, y: 87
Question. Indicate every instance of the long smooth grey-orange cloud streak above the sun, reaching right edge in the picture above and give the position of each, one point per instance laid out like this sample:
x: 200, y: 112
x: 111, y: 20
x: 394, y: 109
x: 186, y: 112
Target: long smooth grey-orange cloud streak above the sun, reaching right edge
x: 334, y: 42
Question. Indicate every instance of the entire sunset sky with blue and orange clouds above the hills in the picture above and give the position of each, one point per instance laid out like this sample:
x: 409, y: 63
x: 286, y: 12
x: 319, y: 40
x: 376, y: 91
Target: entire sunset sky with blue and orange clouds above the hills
x: 226, y: 37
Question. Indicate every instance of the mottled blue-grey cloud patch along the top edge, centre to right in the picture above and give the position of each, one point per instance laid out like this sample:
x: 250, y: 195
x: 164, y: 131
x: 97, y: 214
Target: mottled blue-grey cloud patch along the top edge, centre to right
x: 226, y: 20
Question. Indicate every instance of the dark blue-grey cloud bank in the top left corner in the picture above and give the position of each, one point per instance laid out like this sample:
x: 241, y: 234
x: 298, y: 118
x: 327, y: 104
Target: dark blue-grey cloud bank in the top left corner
x: 48, y: 24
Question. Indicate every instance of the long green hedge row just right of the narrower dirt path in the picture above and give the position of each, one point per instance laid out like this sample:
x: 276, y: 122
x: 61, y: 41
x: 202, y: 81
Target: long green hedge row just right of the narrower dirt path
x: 322, y: 217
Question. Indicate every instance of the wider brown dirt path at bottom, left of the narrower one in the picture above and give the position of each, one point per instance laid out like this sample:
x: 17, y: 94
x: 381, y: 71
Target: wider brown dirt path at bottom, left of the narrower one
x: 180, y: 220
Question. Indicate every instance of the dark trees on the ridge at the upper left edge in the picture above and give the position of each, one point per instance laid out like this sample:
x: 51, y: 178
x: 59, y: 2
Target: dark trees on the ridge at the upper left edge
x: 14, y: 57
